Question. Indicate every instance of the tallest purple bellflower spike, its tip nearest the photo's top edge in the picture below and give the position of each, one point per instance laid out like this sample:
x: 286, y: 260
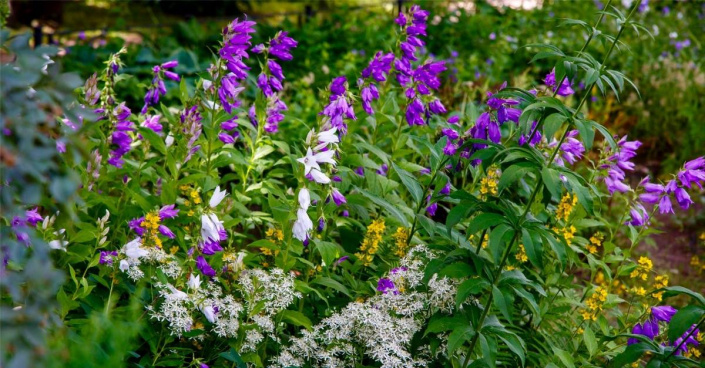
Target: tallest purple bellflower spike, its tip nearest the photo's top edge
x: 418, y: 81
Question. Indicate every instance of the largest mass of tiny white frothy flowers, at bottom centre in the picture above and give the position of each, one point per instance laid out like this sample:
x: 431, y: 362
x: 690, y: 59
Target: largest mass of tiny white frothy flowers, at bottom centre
x: 383, y: 325
